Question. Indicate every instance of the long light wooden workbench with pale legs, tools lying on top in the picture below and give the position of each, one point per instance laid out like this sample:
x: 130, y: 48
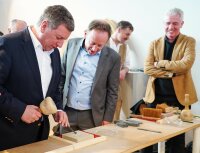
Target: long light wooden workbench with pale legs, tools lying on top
x: 131, y: 139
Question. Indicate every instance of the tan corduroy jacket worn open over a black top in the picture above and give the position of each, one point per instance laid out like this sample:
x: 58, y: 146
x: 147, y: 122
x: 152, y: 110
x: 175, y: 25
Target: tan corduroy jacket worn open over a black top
x: 183, y: 57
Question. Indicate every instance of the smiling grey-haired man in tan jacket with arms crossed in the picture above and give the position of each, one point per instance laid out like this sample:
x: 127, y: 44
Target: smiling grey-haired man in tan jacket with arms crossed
x: 168, y: 64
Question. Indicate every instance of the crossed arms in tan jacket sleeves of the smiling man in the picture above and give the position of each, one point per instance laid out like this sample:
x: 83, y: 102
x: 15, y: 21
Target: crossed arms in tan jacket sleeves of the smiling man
x: 165, y: 68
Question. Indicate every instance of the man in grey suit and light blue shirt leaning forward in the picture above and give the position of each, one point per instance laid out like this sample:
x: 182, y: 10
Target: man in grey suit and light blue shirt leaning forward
x: 89, y: 82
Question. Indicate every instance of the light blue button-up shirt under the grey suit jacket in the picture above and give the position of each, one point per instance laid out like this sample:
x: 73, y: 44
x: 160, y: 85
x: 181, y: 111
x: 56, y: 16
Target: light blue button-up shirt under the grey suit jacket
x: 82, y: 80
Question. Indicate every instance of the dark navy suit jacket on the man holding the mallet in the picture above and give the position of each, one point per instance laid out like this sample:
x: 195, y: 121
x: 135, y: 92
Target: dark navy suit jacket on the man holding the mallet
x: 20, y: 85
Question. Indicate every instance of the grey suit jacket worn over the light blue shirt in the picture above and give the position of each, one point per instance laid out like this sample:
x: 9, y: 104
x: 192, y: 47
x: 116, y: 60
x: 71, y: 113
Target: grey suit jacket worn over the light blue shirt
x: 106, y: 81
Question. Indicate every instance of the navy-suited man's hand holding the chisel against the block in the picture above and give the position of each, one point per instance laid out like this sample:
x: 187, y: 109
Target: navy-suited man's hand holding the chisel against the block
x: 61, y: 118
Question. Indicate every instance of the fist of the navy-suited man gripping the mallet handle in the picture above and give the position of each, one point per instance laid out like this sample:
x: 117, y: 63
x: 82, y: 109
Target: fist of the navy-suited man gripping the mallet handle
x: 31, y: 114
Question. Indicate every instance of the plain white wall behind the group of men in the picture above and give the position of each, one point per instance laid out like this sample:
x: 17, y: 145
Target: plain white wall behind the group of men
x: 145, y: 15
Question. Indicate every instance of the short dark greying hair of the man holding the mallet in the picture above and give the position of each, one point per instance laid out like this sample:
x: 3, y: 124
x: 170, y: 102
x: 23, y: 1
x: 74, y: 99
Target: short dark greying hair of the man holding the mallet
x: 57, y: 15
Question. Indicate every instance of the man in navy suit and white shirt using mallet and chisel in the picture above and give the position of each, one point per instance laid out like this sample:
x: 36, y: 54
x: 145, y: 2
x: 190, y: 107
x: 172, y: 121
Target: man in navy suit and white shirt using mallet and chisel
x: 30, y: 71
